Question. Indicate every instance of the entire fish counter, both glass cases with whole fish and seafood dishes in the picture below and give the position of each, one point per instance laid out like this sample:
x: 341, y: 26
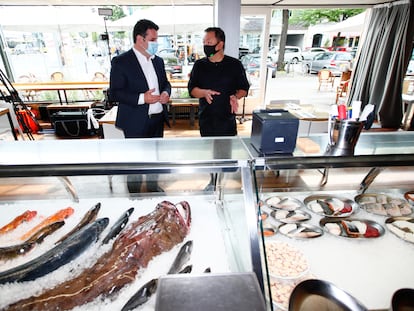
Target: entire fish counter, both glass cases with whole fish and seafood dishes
x: 75, y: 235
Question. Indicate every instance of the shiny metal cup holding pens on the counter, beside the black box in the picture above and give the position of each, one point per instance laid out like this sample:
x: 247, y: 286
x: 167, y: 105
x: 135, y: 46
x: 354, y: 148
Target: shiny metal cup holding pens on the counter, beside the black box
x: 343, y: 136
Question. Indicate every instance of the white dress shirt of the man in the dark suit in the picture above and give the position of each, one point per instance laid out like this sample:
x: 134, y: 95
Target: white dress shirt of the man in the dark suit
x: 152, y: 80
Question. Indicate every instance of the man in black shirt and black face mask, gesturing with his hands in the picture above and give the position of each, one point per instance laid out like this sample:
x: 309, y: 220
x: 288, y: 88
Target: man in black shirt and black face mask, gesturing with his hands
x: 219, y: 81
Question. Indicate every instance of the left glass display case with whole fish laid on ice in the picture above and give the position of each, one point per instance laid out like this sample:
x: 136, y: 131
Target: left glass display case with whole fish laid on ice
x: 74, y: 236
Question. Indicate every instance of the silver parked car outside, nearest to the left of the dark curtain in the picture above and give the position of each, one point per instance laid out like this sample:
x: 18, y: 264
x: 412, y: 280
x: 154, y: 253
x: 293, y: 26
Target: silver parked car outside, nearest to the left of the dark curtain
x: 337, y: 62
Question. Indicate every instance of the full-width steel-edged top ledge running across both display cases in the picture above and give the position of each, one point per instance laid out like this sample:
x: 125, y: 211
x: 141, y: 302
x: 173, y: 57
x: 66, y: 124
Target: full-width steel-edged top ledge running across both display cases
x: 67, y: 157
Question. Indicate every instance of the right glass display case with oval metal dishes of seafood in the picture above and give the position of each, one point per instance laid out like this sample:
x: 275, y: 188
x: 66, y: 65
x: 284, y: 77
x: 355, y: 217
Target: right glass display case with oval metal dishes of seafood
x: 346, y: 220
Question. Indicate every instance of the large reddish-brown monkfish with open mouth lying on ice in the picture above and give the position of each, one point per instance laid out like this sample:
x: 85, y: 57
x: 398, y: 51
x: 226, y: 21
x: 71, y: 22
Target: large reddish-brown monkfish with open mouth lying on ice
x: 149, y: 236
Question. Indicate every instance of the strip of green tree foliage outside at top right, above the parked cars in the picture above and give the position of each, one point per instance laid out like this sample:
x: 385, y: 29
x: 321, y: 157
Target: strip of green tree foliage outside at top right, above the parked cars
x: 316, y: 16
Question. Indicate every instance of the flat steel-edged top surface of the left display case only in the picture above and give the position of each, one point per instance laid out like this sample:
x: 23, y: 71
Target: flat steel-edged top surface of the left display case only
x: 72, y: 157
